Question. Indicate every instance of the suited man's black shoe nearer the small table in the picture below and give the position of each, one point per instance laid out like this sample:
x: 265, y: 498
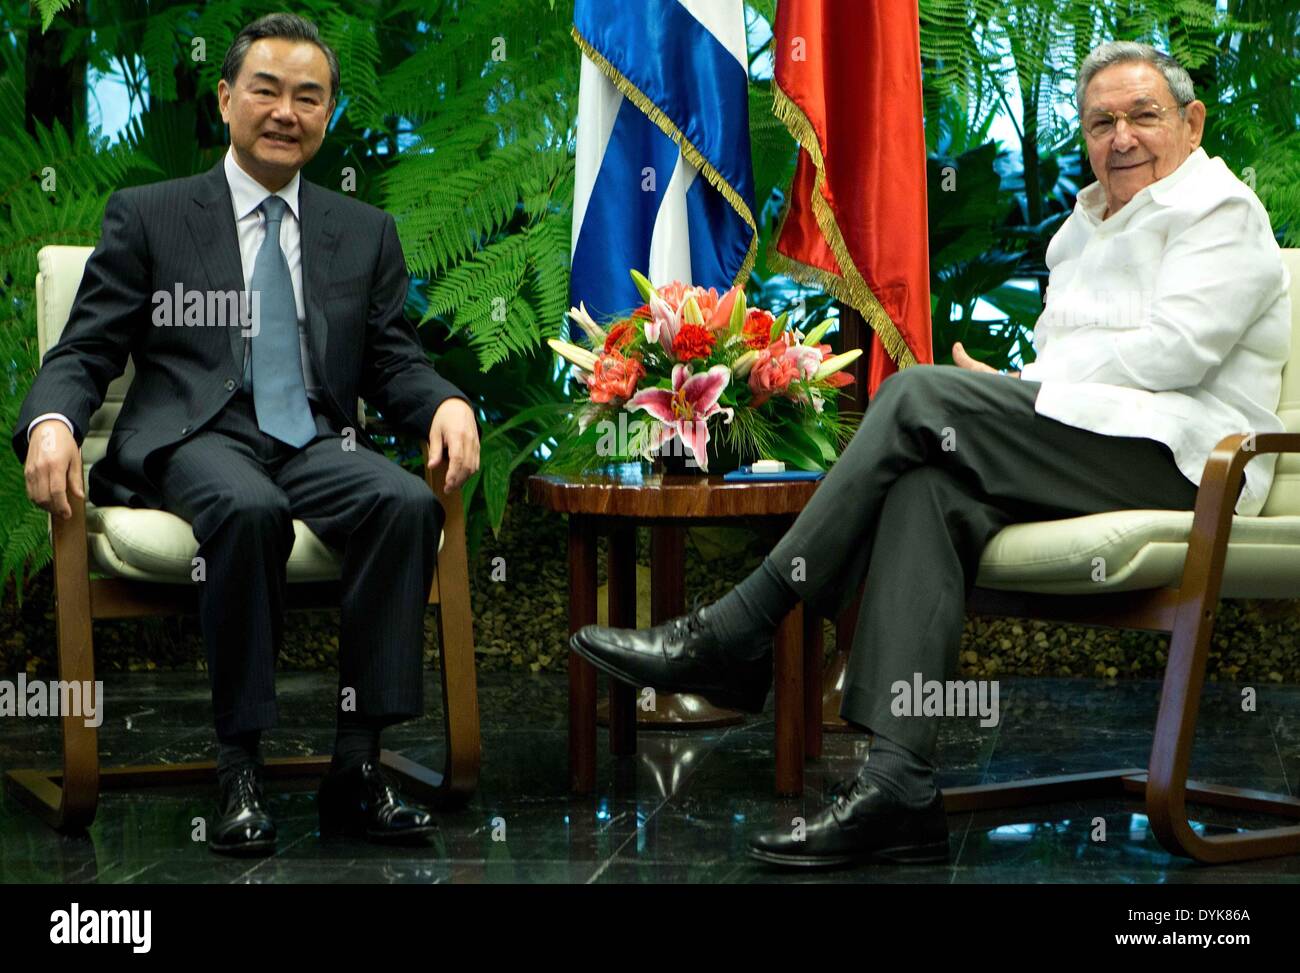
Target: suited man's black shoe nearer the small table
x: 363, y: 803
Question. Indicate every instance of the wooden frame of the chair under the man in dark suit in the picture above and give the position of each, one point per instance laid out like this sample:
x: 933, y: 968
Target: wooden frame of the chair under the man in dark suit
x: 67, y: 799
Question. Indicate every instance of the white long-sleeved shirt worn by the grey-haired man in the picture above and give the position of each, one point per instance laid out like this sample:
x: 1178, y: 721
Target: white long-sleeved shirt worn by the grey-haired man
x: 1171, y: 321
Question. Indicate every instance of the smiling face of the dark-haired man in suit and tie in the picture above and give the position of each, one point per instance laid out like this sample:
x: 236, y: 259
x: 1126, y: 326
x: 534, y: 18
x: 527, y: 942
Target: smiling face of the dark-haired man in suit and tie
x: 278, y: 109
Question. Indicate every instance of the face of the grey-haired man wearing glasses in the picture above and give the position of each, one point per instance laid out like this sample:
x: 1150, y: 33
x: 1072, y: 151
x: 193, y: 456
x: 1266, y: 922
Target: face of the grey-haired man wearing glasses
x: 1130, y: 158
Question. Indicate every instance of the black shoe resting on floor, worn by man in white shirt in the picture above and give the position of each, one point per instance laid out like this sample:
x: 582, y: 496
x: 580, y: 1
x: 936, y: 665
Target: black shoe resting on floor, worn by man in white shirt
x: 864, y: 825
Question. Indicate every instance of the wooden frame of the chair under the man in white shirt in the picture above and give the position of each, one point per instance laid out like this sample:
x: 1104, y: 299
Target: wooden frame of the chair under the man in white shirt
x: 1188, y: 613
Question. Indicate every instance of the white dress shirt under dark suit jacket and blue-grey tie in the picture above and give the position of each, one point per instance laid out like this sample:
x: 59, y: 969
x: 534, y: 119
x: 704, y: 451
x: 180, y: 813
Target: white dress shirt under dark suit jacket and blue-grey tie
x: 246, y: 196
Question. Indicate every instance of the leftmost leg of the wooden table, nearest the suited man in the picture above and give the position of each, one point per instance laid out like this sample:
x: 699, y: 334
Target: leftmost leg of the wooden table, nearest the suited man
x: 582, y: 557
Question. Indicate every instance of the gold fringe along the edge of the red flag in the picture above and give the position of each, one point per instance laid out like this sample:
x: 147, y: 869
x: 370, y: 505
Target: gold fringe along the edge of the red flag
x: 850, y: 286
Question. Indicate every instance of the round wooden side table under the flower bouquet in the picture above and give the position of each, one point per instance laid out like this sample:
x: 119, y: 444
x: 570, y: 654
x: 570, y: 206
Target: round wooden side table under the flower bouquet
x: 618, y: 503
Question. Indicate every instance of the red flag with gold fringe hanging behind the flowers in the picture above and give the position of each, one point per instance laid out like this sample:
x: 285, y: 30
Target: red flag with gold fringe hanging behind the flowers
x: 848, y: 88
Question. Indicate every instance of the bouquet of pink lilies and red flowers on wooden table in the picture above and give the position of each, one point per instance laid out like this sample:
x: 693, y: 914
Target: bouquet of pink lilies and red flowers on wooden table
x: 699, y: 374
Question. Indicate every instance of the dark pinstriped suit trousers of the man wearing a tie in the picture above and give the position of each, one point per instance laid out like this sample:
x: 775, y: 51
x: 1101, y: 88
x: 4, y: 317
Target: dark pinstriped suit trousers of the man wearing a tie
x: 241, y: 490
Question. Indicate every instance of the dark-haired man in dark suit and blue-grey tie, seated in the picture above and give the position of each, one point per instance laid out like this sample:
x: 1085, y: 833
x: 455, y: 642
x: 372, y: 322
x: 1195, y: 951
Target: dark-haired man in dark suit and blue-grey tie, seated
x: 242, y: 429
